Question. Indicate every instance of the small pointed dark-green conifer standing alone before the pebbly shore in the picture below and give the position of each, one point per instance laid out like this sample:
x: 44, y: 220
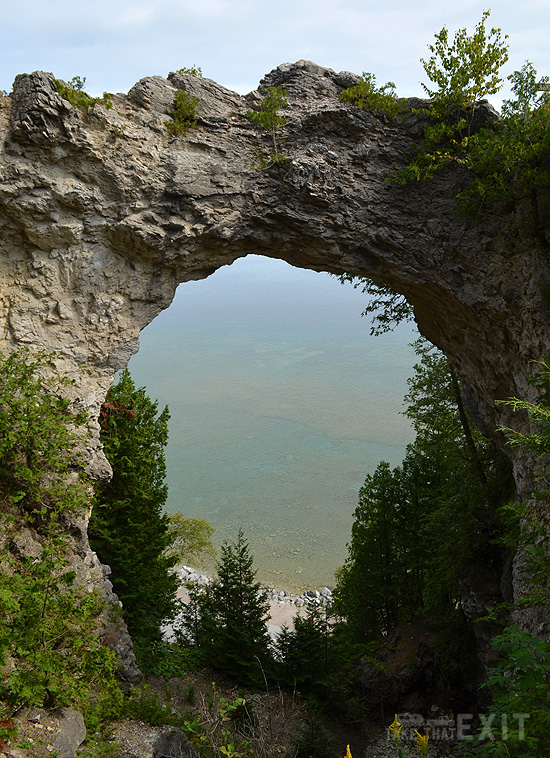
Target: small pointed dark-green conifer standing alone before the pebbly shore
x: 226, y: 619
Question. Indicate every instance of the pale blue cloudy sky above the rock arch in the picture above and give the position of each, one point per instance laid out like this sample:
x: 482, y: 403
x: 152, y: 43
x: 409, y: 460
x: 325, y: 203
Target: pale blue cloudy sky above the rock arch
x: 113, y: 43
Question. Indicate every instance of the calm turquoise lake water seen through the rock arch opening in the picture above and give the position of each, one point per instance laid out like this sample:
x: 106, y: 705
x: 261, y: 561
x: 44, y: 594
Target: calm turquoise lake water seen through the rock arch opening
x: 281, y: 403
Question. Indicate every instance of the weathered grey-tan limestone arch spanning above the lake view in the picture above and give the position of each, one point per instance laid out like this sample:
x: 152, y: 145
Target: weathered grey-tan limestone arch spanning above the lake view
x: 102, y: 215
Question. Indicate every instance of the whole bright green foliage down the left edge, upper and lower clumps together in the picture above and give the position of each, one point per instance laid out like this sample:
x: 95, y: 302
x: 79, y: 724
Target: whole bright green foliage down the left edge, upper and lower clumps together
x: 48, y: 639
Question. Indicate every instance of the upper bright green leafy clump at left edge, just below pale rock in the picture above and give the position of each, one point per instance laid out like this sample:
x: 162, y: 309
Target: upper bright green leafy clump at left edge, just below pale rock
x: 39, y: 436
